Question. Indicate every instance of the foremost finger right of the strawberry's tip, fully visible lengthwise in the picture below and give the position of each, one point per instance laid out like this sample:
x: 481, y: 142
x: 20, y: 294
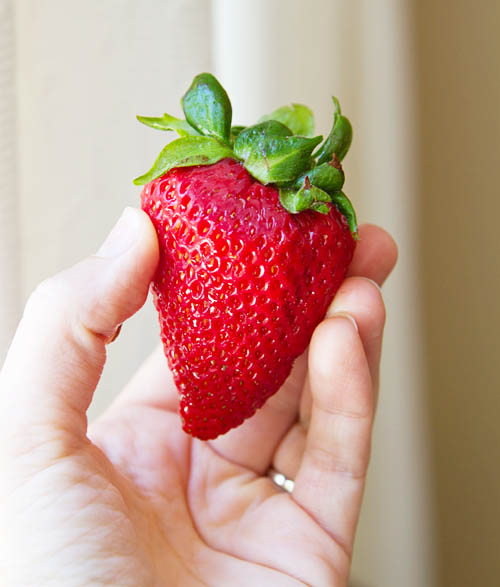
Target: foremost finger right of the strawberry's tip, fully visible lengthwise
x: 331, y: 477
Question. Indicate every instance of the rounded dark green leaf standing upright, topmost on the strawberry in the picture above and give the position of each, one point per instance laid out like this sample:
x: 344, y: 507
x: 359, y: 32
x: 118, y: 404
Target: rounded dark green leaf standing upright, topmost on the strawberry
x: 207, y: 107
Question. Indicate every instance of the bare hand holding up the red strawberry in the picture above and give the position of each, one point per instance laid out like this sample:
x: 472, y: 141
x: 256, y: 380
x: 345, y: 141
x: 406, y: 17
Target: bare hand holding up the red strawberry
x: 132, y: 500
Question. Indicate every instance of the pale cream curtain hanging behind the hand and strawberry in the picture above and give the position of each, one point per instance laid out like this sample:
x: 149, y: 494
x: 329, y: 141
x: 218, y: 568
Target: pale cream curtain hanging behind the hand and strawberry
x: 82, y: 71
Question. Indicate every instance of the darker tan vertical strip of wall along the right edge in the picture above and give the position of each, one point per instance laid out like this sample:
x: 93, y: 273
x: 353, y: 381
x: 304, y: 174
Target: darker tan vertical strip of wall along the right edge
x: 458, y: 51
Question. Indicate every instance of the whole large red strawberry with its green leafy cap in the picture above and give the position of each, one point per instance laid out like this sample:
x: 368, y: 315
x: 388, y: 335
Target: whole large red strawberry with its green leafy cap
x: 255, y: 238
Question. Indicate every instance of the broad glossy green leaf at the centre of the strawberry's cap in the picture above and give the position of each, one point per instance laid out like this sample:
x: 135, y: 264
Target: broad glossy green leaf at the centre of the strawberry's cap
x: 271, y: 154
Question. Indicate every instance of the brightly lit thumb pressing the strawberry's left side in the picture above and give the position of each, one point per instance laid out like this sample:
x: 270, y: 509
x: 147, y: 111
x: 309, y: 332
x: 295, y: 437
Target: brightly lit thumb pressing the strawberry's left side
x: 58, y: 352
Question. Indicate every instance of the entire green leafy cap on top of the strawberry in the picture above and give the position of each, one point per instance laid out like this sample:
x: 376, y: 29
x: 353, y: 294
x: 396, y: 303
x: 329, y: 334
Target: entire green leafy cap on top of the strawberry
x: 278, y: 150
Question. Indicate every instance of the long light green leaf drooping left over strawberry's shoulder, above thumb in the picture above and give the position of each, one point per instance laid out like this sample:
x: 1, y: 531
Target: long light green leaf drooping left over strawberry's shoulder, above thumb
x: 185, y: 152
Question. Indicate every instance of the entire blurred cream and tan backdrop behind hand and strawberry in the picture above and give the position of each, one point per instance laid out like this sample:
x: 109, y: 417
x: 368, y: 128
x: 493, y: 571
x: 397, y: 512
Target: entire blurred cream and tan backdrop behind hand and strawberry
x: 420, y: 81
